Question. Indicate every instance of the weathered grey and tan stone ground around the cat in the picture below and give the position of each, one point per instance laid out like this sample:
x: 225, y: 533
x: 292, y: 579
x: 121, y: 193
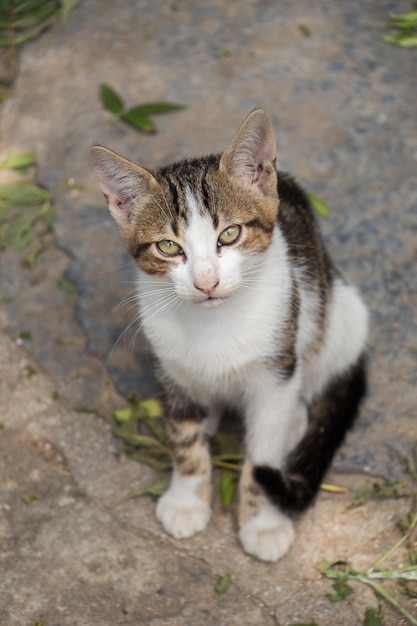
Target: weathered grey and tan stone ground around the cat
x: 344, y: 107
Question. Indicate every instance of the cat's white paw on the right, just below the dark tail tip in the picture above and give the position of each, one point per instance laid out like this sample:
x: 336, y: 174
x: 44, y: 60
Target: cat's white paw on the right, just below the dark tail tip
x: 268, y: 535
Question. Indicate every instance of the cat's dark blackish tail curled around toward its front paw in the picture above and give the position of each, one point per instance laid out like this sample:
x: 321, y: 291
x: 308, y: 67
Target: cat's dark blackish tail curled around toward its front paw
x: 294, y: 488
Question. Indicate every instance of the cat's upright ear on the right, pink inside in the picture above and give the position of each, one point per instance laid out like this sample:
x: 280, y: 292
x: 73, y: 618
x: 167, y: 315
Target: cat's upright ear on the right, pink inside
x: 251, y: 155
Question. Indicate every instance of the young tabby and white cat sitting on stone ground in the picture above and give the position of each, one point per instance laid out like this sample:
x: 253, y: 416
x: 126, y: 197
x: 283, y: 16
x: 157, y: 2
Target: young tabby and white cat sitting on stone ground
x: 244, y: 310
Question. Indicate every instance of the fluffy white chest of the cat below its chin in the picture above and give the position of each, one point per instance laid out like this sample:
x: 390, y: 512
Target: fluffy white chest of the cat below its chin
x: 215, y: 349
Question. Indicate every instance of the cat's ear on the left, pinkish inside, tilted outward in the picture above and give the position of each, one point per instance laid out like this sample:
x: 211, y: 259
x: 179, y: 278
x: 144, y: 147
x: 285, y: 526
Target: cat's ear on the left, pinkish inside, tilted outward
x: 125, y: 185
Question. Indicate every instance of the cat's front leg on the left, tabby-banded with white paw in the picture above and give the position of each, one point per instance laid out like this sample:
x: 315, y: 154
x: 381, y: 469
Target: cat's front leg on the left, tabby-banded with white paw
x: 184, y: 509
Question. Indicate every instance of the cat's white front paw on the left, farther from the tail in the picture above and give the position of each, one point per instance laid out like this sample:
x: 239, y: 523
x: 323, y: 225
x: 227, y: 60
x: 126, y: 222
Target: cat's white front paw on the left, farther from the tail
x: 182, y: 518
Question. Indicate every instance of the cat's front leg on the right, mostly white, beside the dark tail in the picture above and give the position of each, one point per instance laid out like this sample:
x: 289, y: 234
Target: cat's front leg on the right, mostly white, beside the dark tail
x: 265, y: 531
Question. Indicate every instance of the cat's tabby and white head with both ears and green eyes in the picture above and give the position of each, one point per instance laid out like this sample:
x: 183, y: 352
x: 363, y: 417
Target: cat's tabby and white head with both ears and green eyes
x: 202, y: 222
